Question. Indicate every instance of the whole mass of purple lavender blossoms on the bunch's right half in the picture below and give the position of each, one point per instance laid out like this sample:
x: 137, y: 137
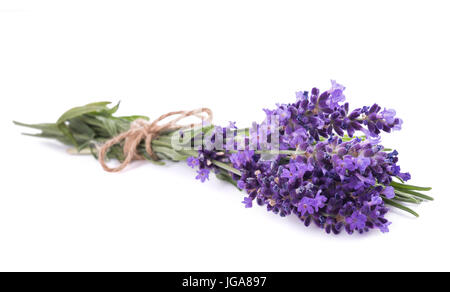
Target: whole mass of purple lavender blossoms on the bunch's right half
x: 322, y: 173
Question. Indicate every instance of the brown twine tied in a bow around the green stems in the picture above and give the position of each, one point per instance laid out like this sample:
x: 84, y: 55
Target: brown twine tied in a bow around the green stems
x: 141, y: 129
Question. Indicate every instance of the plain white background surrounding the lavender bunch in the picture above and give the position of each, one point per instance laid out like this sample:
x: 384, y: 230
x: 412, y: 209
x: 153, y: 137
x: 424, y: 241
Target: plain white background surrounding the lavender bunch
x: 64, y: 213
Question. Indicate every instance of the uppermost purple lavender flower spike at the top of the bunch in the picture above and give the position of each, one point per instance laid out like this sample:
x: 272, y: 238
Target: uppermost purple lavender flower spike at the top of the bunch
x: 323, y: 114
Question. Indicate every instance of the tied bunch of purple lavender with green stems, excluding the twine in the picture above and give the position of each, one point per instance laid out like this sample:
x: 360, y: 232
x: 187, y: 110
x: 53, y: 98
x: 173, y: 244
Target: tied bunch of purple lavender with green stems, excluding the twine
x: 313, y: 158
